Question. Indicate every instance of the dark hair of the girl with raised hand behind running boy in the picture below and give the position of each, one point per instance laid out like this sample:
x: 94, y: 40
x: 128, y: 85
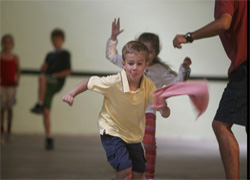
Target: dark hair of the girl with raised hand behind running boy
x: 155, y: 42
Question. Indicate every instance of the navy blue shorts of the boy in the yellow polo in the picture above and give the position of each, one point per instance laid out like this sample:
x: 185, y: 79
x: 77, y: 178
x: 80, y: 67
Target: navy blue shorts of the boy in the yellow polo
x: 122, y: 156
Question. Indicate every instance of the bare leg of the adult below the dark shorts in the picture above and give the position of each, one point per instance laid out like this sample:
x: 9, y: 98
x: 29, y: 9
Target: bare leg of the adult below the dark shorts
x: 229, y: 148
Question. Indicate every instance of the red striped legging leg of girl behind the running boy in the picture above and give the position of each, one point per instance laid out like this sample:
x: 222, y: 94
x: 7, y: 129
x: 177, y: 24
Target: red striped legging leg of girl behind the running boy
x: 149, y: 142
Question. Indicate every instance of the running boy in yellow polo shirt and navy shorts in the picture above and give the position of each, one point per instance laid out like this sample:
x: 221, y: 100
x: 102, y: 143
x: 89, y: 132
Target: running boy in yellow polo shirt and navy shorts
x: 122, y: 118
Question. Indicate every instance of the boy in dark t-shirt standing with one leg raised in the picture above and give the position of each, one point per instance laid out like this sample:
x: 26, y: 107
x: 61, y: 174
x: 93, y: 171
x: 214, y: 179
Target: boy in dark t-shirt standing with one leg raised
x: 52, y: 78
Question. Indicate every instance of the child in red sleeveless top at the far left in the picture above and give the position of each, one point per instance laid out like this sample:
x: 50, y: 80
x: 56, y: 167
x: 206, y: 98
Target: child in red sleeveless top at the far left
x: 10, y: 74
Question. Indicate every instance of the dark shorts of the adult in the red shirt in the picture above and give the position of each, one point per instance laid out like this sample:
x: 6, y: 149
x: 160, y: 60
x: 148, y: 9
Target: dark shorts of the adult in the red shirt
x: 233, y: 104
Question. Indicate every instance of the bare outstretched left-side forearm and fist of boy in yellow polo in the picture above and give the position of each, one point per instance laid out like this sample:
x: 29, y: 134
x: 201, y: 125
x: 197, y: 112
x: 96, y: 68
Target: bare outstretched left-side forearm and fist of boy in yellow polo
x: 69, y: 97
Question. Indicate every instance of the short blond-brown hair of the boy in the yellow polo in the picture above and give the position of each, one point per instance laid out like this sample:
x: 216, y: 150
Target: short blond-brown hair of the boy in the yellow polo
x: 134, y: 47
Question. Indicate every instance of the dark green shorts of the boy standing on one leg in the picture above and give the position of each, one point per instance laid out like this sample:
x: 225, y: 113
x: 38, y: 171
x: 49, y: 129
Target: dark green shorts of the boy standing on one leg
x: 52, y: 87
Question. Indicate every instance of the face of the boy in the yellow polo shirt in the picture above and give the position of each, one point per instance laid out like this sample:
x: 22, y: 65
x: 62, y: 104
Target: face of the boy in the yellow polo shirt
x: 134, y: 65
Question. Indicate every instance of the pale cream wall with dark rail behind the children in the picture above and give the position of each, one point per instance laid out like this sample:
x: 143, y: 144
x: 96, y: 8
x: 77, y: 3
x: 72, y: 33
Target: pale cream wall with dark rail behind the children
x: 88, y: 25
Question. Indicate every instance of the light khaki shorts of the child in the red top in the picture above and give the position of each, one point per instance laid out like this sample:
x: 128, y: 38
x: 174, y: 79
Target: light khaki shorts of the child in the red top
x: 8, y: 96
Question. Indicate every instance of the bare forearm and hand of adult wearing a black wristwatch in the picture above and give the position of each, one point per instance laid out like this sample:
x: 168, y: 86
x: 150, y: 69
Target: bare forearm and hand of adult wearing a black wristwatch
x: 212, y: 29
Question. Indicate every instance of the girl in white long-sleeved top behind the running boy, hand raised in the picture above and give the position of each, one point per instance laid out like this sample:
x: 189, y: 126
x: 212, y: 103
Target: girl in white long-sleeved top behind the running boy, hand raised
x: 160, y: 73
